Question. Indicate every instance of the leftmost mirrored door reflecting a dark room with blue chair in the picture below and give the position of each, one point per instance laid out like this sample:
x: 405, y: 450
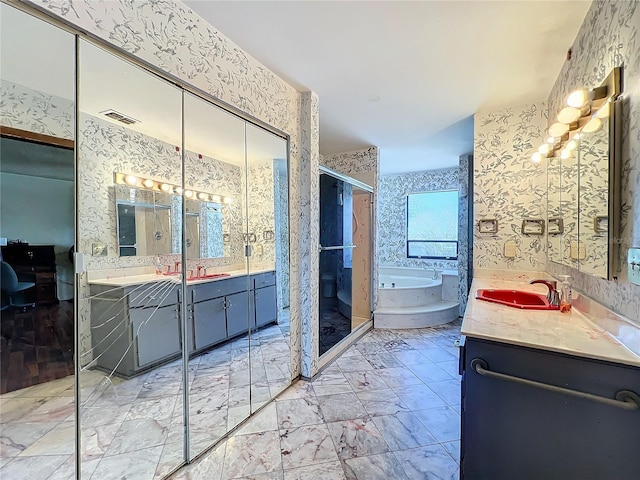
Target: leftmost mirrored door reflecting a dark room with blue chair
x: 37, y: 405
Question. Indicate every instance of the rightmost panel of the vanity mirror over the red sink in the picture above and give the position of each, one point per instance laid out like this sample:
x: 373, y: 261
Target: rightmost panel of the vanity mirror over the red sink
x: 594, y: 199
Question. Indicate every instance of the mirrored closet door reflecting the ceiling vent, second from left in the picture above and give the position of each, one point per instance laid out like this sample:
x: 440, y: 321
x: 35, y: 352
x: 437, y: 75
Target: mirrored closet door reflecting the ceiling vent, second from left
x: 130, y: 345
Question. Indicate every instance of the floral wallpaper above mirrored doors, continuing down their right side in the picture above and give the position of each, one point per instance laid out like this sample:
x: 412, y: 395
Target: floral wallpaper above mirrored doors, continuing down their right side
x: 173, y: 38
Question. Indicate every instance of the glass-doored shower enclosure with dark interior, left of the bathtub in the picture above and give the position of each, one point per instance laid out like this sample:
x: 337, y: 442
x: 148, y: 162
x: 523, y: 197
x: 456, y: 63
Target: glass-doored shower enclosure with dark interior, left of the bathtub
x: 345, y: 257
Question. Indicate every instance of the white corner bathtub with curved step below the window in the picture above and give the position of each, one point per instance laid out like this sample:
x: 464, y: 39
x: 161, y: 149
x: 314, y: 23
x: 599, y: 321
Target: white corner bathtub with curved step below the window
x: 412, y: 298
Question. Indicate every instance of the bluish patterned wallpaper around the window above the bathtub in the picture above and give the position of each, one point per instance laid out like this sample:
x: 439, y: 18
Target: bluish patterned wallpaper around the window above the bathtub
x: 392, y: 214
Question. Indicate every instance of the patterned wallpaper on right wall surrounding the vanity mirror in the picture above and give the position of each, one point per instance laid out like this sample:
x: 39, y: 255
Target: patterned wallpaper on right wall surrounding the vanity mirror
x: 609, y: 37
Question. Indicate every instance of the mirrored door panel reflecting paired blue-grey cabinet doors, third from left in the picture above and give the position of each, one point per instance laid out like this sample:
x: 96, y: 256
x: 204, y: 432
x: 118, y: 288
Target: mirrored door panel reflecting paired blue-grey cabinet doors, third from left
x: 218, y: 307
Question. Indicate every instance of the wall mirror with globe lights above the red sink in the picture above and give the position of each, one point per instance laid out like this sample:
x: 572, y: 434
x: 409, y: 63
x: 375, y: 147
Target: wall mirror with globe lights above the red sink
x: 583, y: 181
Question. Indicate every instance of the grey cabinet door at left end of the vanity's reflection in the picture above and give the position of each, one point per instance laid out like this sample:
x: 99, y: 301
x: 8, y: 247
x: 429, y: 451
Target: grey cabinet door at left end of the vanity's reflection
x: 156, y: 333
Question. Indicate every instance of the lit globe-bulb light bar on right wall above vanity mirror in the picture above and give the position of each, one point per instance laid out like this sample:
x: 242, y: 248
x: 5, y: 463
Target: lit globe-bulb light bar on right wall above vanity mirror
x: 583, y: 112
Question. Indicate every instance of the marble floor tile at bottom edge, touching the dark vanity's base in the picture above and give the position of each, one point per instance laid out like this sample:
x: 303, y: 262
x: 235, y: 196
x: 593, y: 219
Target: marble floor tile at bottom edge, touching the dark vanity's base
x: 431, y: 461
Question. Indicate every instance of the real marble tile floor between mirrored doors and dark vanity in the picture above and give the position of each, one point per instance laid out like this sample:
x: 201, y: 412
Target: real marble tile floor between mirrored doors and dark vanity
x: 384, y: 410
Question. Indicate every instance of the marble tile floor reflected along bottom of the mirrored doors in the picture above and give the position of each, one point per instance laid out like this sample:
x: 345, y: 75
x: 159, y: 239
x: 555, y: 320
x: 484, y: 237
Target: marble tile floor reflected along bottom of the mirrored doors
x: 133, y: 428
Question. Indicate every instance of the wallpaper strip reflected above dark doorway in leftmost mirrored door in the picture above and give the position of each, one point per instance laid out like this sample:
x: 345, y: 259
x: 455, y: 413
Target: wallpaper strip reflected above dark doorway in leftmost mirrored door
x: 39, y: 112
